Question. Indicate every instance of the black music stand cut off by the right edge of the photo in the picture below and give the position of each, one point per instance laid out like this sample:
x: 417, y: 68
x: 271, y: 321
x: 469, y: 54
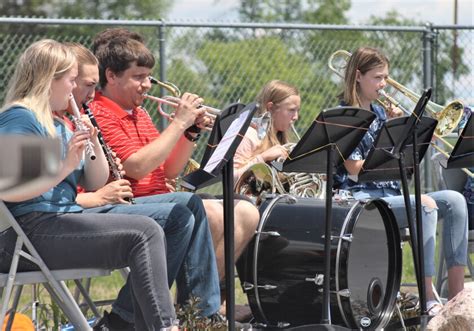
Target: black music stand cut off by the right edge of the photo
x: 462, y: 155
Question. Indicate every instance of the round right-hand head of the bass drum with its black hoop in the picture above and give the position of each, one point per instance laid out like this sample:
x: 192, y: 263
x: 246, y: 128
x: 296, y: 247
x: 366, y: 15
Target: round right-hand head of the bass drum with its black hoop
x: 369, y: 267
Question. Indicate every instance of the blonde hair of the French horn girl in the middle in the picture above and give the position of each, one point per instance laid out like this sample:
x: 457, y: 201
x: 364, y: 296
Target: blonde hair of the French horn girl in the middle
x: 274, y: 91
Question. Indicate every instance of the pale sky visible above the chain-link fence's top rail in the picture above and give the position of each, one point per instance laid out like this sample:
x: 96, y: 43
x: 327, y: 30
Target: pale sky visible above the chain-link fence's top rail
x: 438, y: 12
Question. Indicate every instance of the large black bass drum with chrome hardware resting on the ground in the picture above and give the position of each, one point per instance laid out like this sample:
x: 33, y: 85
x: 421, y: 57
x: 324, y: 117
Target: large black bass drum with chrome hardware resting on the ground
x: 282, y: 270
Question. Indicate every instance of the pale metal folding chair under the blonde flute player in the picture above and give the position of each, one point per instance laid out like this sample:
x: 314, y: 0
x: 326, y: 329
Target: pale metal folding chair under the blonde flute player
x: 52, y: 280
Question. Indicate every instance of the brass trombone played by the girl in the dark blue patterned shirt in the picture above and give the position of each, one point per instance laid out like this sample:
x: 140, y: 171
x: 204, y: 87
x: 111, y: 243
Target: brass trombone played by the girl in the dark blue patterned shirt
x: 448, y: 117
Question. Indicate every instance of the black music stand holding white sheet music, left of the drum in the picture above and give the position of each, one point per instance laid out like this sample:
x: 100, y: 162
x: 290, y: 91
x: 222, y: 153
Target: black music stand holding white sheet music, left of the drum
x: 217, y: 162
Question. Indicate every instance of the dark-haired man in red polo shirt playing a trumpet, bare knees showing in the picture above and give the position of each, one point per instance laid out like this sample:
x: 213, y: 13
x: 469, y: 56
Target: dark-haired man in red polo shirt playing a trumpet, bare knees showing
x: 150, y: 157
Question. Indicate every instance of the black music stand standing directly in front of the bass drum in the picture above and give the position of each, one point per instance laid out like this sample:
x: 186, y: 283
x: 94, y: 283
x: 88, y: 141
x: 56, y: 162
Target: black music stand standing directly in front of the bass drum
x: 326, y: 144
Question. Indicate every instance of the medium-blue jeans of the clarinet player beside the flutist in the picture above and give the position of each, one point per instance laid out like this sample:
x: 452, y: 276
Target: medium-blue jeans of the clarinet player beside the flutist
x: 190, y: 253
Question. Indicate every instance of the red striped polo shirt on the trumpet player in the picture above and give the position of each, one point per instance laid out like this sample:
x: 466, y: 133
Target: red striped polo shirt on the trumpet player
x: 125, y: 134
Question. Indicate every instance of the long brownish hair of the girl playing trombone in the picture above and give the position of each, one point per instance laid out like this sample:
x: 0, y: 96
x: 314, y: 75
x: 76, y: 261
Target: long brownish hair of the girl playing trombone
x: 363, y: 59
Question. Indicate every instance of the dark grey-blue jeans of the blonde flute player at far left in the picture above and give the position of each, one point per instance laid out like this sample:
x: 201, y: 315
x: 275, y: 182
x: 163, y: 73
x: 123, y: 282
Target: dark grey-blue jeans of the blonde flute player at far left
x: 78, y: 240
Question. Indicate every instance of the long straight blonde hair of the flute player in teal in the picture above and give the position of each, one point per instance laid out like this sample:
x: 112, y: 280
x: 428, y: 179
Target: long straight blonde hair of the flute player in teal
x: 30, y: 85
